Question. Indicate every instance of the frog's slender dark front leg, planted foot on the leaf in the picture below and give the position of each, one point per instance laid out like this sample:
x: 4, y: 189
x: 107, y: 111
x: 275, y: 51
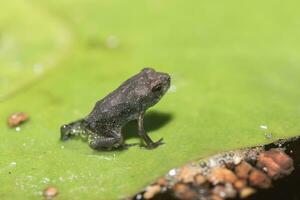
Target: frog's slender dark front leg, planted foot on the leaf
x: 142, y: 133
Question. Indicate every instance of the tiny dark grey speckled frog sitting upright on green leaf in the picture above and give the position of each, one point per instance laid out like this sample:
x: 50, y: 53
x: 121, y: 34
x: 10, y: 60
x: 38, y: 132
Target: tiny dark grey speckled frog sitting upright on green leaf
x: 103, y: 126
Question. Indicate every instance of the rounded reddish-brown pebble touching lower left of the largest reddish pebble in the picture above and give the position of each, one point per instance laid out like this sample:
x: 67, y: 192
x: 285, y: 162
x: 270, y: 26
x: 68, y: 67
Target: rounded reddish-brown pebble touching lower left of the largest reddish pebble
x: 259, y: 179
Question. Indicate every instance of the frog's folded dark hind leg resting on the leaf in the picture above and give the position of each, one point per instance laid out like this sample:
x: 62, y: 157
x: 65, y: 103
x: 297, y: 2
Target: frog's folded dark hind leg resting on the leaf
x: 108, y: 142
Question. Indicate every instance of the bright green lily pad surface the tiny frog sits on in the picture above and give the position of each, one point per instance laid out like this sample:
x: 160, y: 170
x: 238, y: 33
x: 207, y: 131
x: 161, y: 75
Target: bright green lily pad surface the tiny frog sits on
x: 235, y: 70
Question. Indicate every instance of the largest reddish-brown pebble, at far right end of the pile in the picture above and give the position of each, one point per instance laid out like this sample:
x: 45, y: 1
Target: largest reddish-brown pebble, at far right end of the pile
x: 276, y: 162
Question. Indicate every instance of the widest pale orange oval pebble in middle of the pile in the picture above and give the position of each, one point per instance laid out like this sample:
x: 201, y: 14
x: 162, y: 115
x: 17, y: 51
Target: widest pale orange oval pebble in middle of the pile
x: 222, y: 175
